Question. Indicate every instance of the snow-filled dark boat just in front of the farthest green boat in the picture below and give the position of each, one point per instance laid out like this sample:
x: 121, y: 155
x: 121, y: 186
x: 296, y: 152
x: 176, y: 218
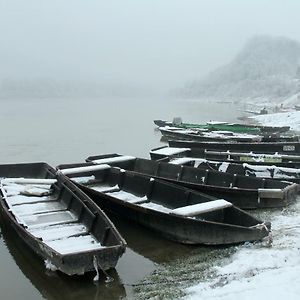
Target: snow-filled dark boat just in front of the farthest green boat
x: 221, y: 136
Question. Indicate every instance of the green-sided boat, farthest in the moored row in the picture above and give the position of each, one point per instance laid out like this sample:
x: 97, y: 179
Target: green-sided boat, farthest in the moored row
x: 225, y: 126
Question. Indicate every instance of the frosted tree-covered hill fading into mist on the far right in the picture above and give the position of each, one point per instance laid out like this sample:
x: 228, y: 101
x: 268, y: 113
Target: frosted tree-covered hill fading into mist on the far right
x: 267, y: 68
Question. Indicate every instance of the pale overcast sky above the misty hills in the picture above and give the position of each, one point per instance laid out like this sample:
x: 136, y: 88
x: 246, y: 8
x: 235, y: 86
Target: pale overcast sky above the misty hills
x: 162, y: 43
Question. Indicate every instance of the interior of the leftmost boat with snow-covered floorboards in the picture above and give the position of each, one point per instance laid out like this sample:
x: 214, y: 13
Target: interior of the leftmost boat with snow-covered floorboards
x: 53, y: 210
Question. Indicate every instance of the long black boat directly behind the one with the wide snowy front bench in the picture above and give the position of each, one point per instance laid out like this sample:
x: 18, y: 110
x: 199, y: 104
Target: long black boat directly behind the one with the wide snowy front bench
x: 244, y: 192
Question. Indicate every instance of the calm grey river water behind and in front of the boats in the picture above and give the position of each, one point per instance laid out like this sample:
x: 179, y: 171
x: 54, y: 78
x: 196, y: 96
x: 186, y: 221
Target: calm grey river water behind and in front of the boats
x: 65, y: 131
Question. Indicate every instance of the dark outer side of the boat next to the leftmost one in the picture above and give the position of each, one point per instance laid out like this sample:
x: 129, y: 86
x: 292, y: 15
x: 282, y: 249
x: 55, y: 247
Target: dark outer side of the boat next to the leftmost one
x: 174, y: 228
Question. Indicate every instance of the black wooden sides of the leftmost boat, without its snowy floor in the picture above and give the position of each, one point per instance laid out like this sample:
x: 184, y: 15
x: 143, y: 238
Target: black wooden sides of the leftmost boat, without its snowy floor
x: 75, y: 262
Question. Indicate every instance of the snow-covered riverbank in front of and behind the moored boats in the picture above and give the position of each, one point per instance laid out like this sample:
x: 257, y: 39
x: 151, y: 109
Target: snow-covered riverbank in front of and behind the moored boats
x: 256, y: 271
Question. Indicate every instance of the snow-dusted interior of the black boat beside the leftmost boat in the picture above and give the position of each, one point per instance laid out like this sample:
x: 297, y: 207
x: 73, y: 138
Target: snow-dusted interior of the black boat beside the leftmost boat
x: 146, y: 192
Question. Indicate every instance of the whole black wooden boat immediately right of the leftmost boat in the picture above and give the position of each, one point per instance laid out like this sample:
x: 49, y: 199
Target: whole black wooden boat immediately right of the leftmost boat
x: 177, y: 213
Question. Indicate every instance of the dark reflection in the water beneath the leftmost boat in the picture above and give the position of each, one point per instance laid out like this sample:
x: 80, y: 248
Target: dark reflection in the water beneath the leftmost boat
x: 55, y: 285
